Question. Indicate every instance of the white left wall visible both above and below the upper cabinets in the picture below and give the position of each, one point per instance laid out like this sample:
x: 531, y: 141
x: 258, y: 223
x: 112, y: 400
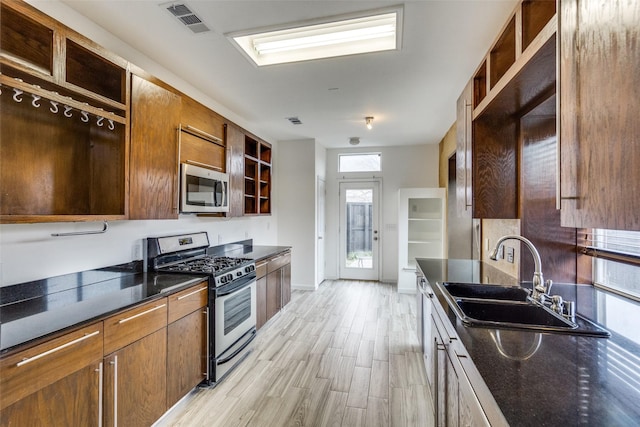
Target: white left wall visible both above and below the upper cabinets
x: 29, y: 252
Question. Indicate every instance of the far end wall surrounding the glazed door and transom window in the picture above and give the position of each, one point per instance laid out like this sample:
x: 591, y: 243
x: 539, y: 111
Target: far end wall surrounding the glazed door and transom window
x: 402, y: 167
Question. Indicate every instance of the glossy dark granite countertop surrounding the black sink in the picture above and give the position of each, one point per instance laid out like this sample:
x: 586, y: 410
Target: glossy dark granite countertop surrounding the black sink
x: 568, y: 380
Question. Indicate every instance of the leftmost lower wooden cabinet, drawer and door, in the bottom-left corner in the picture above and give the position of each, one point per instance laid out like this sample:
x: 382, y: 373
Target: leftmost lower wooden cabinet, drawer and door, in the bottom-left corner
x: 56, y: 383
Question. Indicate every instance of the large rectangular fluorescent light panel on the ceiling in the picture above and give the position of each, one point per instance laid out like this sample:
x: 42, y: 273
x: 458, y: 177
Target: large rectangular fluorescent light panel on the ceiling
x: 371, y: 31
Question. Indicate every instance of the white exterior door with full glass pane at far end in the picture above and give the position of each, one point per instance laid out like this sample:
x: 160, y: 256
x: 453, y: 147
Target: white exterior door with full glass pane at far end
x: 359, y: 235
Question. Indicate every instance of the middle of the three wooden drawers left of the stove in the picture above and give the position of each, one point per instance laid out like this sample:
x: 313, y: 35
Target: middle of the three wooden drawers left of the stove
x: 128, y: 326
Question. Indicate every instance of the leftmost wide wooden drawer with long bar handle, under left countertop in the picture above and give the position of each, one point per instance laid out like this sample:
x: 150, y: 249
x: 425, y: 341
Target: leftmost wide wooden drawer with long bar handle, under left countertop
x: 30, y: 370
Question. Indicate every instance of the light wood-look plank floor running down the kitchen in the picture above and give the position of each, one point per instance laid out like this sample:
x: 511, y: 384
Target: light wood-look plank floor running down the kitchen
x: 344, y: 355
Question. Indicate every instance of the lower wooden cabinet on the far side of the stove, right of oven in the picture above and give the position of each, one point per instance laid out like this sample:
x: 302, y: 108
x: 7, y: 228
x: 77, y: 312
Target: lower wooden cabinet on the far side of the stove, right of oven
x: 273, y: 286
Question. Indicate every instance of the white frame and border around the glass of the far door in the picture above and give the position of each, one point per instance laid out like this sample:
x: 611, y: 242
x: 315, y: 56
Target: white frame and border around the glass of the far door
x: 360, y: 273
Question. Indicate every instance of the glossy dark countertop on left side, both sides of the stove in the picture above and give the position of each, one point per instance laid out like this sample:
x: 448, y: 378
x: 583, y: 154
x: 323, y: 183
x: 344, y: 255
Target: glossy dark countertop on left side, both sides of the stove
x: 33, y: 310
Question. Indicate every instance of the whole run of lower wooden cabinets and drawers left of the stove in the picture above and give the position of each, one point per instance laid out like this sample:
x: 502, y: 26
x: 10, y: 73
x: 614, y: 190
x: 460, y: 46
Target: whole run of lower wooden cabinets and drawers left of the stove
x: 126, y: 370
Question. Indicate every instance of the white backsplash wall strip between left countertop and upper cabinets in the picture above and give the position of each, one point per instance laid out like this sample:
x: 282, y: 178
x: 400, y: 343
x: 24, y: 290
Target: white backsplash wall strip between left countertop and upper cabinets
x: 29, y: 252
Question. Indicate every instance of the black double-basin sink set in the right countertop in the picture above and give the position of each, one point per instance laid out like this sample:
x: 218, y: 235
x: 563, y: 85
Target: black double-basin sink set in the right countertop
x: 510, y: 307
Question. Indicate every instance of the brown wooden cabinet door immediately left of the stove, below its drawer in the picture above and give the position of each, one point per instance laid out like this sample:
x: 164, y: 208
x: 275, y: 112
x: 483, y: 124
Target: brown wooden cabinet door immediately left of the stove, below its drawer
x: 186, y: 354
